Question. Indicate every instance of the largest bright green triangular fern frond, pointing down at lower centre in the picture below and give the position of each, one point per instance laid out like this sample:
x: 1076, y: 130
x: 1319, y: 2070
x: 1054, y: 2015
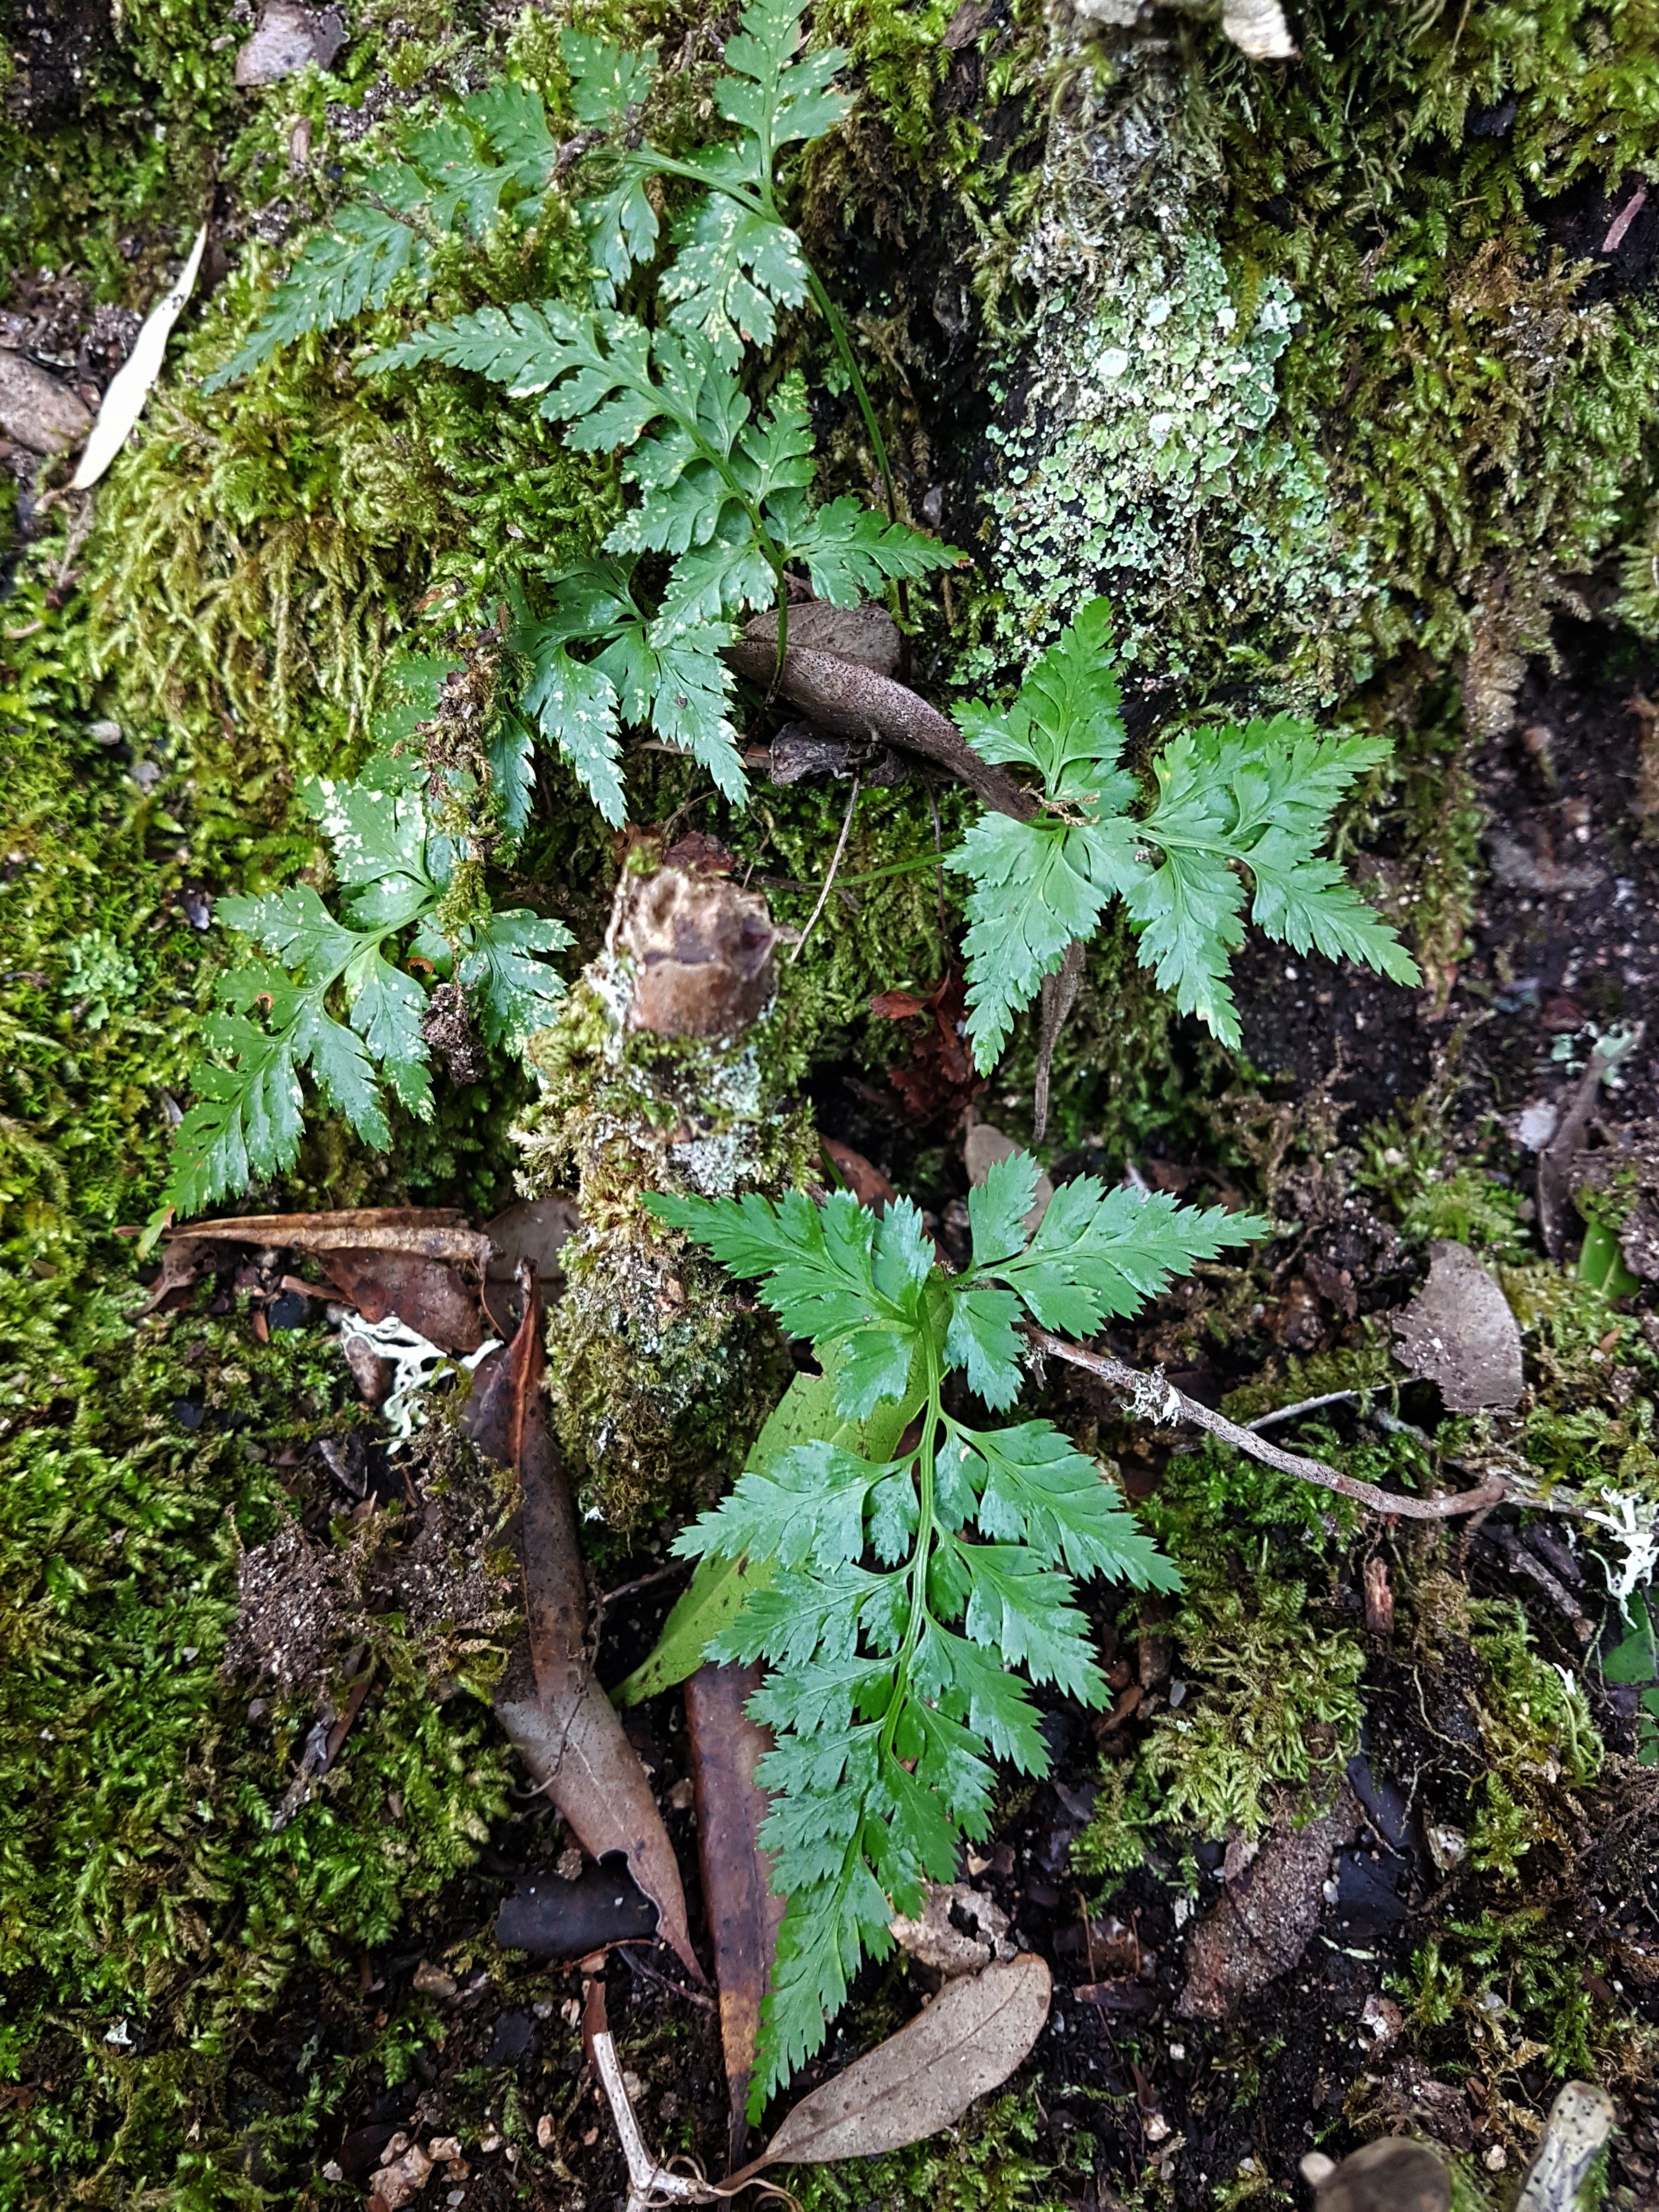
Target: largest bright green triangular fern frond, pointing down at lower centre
x: 895, y: 1594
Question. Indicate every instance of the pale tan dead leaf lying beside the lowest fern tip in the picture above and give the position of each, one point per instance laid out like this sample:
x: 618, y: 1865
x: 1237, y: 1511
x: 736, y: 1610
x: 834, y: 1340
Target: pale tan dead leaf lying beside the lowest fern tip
x: 921, y: 2080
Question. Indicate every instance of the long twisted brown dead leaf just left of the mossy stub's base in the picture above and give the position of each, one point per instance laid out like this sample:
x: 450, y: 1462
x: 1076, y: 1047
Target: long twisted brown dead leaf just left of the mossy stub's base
x: 550, y: 1702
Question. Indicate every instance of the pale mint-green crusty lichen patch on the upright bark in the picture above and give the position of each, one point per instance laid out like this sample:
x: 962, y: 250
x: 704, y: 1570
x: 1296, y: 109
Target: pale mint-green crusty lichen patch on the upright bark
x: 1142, y: 463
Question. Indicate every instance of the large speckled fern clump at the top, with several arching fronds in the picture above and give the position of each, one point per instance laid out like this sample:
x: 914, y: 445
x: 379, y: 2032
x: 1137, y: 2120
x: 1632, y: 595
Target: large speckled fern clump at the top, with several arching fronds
x: 718, y: 492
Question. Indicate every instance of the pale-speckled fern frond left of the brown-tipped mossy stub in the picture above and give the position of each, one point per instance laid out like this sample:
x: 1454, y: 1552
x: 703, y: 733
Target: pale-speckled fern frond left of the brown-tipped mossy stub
x: 333, y: 997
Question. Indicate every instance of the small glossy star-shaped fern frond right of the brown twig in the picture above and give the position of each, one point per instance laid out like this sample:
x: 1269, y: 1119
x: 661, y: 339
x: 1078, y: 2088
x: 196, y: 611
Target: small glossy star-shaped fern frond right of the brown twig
x: 1231, y: 802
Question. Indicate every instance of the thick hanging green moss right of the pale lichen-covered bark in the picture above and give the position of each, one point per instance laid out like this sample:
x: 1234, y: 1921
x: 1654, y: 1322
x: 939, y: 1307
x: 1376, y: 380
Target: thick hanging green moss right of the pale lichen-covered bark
x: 1479, y: 408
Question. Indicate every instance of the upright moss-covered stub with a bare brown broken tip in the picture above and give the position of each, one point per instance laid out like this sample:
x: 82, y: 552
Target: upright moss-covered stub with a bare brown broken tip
x: 656, y: 1078
